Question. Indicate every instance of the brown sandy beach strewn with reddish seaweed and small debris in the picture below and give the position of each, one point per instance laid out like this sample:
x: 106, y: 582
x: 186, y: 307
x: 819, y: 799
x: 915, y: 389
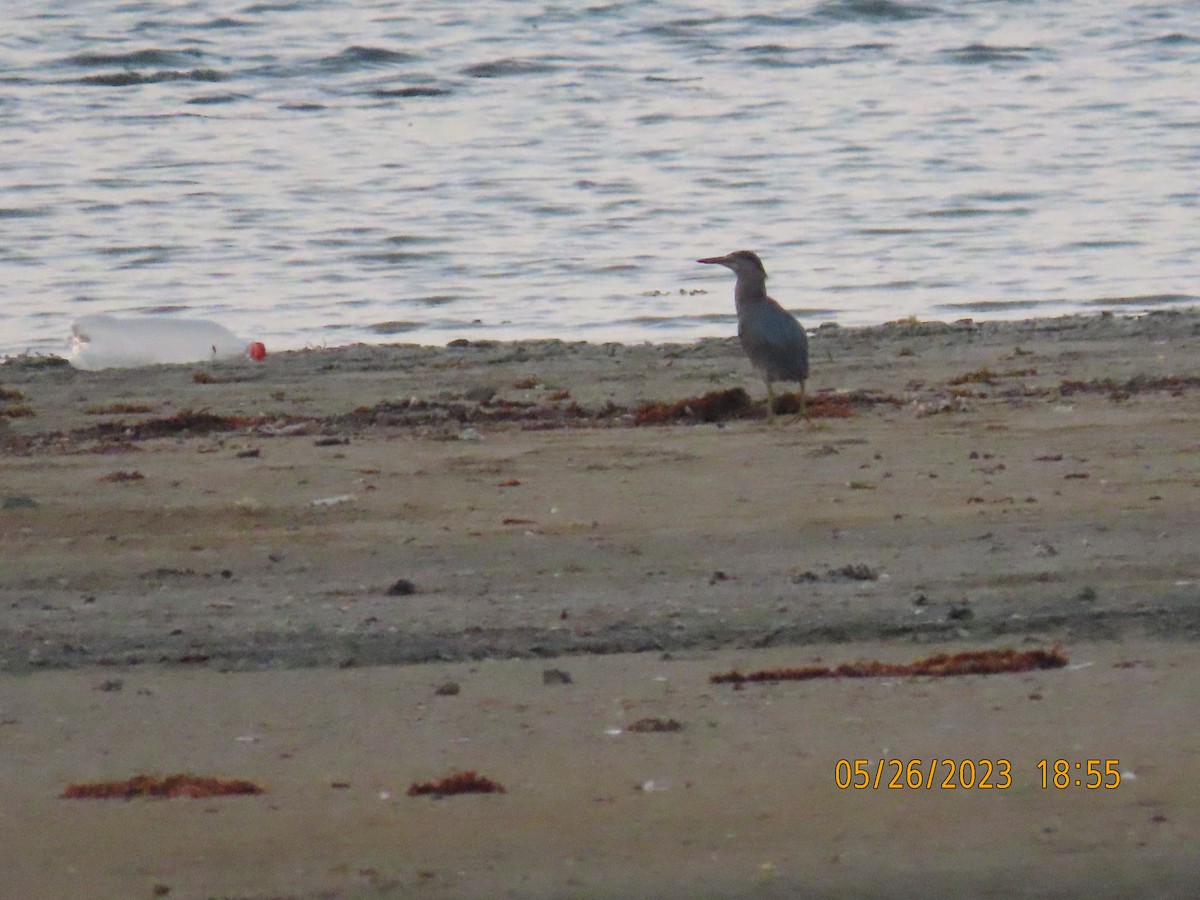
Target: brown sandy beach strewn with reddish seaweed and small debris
x: 277, y: 572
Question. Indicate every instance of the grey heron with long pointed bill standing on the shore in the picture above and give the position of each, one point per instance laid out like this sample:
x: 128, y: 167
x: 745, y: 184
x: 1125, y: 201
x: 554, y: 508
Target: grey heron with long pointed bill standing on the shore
x: 772, y: 338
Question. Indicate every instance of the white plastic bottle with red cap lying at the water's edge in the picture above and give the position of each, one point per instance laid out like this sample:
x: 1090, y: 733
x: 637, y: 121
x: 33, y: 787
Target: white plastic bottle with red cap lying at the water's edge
x: 104, y: 341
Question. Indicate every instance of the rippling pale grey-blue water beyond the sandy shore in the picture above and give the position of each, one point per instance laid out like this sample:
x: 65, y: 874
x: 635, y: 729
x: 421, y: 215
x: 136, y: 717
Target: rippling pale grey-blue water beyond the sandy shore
x: 321, y: 173
